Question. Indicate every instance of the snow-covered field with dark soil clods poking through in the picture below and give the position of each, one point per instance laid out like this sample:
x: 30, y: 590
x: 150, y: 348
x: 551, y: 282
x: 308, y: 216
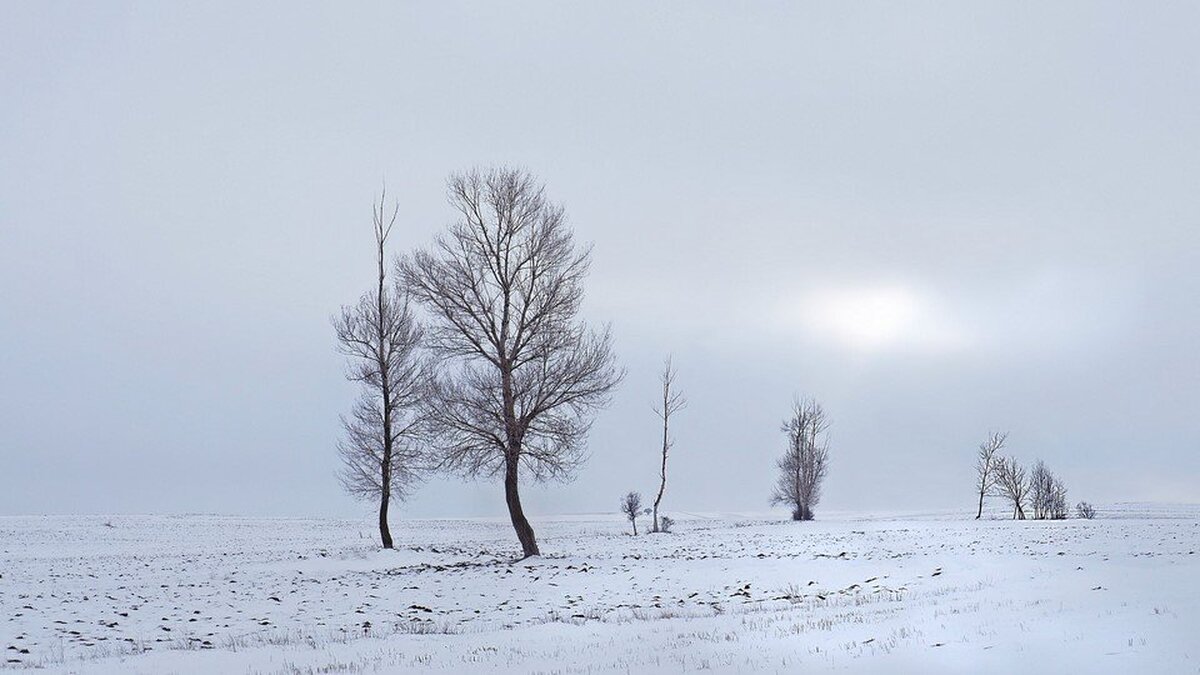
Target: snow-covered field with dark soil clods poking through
x: 855, y: 594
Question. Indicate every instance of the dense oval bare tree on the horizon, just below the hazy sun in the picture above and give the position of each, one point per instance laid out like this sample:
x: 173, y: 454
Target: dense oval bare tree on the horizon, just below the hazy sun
x: 805, y: 465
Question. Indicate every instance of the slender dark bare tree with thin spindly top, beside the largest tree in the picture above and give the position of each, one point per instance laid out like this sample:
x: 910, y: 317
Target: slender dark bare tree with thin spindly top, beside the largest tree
x: 381, y: 339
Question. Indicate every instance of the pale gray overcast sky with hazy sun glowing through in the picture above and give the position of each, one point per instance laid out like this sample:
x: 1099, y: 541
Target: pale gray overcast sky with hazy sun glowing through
x: 937, y: 219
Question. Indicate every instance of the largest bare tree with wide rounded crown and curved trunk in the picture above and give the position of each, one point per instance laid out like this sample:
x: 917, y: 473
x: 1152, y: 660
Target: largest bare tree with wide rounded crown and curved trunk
x: 521, y: 377
